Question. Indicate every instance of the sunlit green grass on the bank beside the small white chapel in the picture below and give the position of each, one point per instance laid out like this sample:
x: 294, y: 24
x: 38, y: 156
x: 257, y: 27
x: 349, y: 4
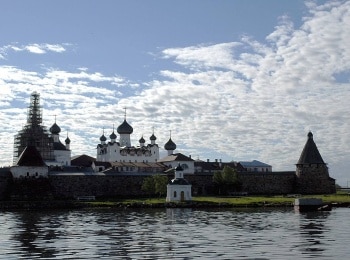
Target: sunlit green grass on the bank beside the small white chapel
x: 244, y: 201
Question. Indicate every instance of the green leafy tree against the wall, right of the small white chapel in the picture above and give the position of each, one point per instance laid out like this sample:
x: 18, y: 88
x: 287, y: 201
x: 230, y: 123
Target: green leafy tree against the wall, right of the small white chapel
x: 226, y: 180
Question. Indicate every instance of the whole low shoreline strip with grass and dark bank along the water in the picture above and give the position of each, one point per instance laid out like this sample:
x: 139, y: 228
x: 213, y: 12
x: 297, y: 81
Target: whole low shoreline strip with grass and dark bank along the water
x: 340, y: 199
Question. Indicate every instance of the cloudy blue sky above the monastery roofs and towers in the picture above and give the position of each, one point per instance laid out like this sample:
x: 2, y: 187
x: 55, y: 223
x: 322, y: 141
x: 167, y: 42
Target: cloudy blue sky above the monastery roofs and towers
x: 237, y: 80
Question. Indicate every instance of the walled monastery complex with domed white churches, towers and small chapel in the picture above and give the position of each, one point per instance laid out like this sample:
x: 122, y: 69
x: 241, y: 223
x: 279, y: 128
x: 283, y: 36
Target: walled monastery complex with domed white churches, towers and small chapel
x: 120, y: 167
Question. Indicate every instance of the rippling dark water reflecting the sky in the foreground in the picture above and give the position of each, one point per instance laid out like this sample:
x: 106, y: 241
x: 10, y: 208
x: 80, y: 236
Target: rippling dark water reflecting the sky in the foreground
x: 175, y: 233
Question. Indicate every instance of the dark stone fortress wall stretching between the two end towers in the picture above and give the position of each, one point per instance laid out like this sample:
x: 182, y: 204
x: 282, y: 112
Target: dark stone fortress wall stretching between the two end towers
x: 114, y: 186
